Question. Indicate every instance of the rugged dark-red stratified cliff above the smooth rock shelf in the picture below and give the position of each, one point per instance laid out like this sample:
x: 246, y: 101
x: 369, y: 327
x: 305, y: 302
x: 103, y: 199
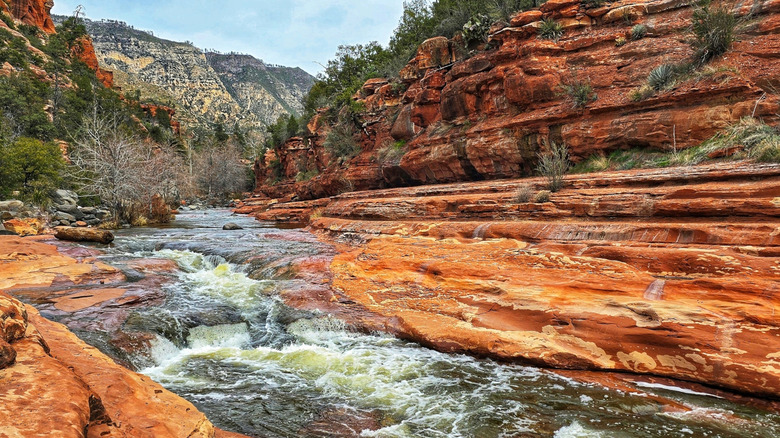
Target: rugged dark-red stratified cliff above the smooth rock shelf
x: 486, y: 117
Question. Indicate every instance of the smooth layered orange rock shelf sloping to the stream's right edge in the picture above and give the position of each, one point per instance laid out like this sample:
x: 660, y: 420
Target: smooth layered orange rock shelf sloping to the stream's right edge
x: 664, y: 272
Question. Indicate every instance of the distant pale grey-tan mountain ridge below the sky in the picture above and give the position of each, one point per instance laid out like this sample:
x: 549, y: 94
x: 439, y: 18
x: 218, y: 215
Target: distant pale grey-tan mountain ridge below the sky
x: 205, y: 87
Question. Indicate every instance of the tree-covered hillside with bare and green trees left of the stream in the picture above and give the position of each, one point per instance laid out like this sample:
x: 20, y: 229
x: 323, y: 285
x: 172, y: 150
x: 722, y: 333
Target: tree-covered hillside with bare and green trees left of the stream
x: 119, y: 150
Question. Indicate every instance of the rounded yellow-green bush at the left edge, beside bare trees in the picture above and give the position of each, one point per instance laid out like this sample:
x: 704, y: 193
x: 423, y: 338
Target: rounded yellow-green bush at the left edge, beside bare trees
x: 31, y: 167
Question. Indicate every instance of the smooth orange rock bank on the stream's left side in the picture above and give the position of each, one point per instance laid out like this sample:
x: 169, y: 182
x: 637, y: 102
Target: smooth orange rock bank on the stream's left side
x: 52, y: 383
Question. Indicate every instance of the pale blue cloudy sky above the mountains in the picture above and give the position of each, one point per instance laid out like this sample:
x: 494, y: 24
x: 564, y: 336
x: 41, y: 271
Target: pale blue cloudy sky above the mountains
x: 295, y: 33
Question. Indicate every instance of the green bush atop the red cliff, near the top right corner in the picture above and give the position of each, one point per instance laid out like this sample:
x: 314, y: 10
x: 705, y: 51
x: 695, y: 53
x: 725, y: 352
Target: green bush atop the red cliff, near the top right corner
x: 714, y: 30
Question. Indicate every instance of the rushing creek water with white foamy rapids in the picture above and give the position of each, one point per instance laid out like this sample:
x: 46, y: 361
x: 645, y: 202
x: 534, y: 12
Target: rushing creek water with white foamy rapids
x: 222, y: 339
